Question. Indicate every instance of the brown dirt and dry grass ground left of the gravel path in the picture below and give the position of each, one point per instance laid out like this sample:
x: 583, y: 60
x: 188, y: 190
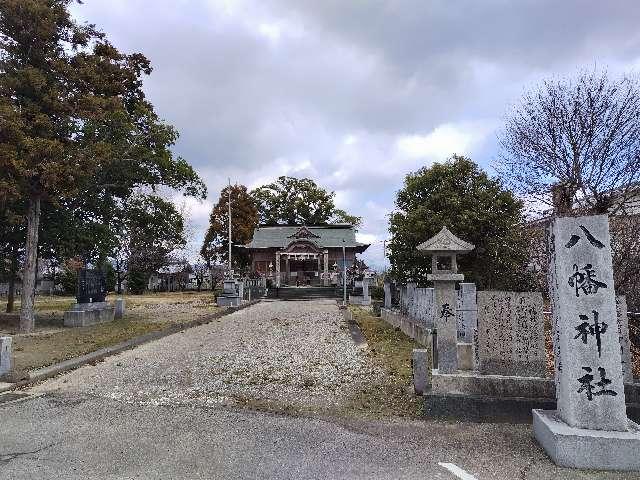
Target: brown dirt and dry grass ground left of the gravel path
x: 51, y: 342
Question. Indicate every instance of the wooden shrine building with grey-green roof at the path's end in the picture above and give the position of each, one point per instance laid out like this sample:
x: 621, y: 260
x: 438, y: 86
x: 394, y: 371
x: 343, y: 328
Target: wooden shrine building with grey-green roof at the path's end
x: 297, y: 255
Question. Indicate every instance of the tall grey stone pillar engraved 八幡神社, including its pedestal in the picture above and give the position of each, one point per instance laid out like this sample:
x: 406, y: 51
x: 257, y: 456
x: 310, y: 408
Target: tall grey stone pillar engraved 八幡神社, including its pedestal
x: 590, y: 428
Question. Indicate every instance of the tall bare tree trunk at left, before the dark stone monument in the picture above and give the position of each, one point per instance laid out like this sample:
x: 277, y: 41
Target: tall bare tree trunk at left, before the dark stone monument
x: 27, y: 310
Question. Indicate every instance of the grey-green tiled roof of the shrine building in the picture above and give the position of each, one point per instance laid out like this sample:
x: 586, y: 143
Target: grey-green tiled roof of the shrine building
x: 324, y: 236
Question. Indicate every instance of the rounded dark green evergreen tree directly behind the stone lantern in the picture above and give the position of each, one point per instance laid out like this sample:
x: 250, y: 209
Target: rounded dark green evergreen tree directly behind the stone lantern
x: 476, y: 208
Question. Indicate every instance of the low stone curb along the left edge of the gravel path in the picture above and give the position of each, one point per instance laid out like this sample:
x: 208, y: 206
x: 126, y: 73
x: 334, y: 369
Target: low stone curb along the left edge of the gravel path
x: 73, y: 363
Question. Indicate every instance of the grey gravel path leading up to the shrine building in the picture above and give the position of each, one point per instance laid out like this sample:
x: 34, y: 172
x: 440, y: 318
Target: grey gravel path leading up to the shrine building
x: 283, y: 355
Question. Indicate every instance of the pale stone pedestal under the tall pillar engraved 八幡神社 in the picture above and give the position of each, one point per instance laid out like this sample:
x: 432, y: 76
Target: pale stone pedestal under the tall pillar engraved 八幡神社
x: 583, y: 448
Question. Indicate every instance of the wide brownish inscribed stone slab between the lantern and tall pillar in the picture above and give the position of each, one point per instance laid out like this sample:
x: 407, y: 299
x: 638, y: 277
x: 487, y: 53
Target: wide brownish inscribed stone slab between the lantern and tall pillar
x: 511, y: 334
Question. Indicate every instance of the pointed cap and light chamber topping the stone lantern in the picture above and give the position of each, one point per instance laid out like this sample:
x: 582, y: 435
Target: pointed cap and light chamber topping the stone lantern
x: 444, y: 249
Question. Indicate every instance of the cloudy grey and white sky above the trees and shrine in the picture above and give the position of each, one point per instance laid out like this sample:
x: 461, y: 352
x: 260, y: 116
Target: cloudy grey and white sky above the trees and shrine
x: 353, y: 93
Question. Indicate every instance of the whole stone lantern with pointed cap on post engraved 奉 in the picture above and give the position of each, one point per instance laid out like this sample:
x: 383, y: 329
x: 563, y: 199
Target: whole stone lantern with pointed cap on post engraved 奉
x: 444, y: 249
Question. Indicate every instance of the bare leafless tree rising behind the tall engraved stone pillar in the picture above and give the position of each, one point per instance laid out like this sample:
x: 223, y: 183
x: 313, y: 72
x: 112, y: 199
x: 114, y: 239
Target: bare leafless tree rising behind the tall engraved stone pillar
x: 581, y: 135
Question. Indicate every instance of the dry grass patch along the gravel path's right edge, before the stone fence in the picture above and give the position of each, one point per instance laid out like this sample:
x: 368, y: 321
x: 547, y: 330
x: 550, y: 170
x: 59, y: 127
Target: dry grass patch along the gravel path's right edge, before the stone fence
x: 390, y: 349
